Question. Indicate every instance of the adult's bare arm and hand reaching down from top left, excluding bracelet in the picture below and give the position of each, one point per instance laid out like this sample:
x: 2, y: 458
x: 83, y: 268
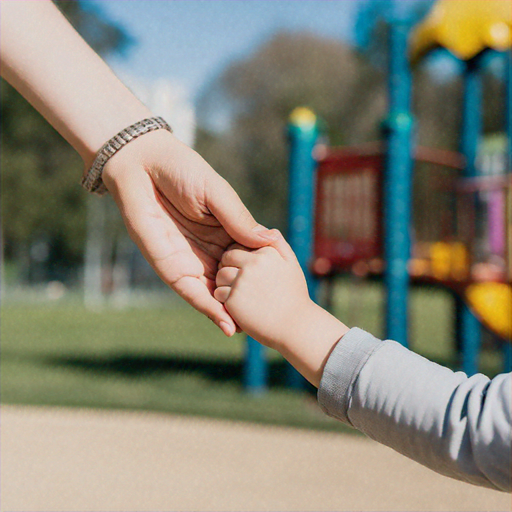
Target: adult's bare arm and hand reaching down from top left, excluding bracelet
x: 177, y: 209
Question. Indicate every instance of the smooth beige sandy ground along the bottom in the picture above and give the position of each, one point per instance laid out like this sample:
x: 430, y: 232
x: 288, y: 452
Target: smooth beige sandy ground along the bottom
x: 86, y: 460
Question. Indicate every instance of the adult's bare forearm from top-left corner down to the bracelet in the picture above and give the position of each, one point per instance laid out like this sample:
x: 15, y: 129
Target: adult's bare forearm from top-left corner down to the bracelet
x: 48, y: 62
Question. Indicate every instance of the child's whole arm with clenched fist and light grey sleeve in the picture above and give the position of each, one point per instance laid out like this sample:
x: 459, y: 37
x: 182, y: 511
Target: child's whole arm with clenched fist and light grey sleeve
x: 458, y: 426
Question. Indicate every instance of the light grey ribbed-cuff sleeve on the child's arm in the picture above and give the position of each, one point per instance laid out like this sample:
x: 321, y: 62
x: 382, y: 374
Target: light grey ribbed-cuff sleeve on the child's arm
x: 458, y: 426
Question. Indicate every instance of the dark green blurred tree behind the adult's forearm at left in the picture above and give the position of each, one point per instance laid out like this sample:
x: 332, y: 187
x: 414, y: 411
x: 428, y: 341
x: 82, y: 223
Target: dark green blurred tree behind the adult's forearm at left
x: 40, y: 195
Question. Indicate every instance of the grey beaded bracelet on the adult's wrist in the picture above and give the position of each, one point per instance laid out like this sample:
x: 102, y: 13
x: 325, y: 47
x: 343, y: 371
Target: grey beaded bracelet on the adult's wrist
x: 92, y: 181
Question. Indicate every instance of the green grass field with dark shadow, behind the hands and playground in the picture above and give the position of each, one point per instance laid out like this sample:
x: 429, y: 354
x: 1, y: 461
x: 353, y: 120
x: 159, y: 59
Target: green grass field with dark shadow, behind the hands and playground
x: 167, y: 357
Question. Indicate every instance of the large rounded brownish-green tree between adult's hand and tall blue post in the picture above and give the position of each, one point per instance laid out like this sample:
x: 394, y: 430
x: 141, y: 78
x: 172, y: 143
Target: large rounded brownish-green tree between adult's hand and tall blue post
x: 259, y: 93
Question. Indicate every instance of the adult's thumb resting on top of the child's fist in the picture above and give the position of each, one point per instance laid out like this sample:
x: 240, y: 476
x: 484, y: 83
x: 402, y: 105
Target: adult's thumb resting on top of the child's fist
x: 236, y: 219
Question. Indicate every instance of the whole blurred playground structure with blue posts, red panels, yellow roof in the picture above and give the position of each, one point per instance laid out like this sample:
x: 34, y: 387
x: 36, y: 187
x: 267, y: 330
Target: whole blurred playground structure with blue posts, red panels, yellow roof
x: 350, y: 209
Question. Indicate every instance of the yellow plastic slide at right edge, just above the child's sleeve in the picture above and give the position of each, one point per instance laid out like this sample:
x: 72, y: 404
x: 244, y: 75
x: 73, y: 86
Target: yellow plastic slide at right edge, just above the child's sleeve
x: 492, y: 304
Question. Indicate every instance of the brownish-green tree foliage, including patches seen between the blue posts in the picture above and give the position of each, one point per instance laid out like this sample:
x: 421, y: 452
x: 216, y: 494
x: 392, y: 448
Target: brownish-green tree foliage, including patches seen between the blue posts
x: 344, y: 88
